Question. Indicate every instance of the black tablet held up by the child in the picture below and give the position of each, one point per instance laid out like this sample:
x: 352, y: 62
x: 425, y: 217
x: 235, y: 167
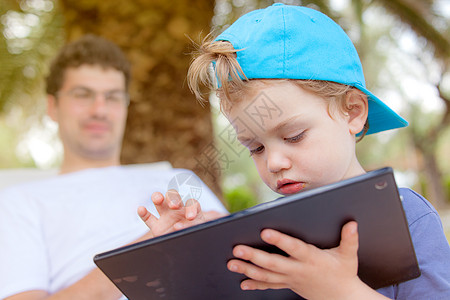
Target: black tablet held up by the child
x: 191, y: 263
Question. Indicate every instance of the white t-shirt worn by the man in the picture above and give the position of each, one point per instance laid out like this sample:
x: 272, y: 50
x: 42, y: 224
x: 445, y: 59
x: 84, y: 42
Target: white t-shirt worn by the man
x: 50, y: 230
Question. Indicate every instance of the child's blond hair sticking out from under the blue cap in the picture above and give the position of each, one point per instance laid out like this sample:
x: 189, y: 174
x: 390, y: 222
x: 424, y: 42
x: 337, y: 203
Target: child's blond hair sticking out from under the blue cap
x: 231, y: 84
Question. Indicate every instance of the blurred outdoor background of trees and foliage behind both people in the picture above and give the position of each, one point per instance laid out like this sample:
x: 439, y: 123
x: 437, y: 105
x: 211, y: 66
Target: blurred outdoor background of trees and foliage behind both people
x: 404, y: 46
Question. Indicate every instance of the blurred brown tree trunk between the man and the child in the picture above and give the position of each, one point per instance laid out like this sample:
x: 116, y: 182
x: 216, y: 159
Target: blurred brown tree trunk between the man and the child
x: 164, y: 122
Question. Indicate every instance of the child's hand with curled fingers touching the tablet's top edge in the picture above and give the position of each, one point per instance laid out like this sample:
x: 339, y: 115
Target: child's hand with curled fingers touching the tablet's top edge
x: 174, y: 215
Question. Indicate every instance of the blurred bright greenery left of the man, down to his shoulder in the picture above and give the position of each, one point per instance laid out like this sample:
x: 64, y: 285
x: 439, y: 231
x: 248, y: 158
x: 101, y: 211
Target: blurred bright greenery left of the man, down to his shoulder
x: 30, y: 34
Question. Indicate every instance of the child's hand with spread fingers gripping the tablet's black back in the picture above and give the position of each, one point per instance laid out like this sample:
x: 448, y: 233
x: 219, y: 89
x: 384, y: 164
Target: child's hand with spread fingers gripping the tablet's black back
x: 308, y: 271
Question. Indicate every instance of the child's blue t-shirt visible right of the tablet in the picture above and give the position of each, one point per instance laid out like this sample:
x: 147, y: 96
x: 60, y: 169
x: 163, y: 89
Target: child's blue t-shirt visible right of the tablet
x: 432, y: 252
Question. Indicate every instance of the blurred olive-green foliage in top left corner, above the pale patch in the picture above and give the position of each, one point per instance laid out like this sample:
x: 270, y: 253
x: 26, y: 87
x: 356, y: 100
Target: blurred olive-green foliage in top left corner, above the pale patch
x: 30, y: 36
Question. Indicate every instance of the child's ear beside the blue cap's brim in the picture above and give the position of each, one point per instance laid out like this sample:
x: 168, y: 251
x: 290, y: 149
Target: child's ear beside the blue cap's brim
x: 357, y: 109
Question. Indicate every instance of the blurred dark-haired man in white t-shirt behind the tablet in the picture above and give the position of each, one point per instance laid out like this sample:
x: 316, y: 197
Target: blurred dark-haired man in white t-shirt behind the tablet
x: 51, y: 229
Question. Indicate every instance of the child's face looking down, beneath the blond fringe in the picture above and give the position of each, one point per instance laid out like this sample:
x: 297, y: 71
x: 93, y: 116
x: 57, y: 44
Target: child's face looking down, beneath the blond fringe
x: 292, y: 138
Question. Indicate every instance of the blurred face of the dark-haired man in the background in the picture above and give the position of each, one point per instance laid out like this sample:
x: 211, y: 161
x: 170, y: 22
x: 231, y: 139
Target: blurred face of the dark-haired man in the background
x: 91, y: 110
